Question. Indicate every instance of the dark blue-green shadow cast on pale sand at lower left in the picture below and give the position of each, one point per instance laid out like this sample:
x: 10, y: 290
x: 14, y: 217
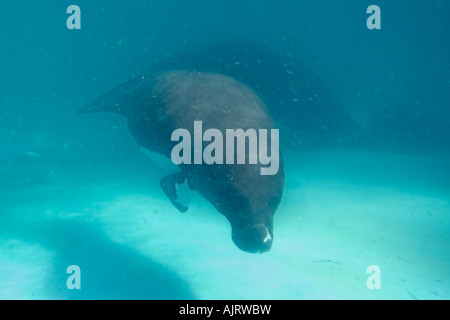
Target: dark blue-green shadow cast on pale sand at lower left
x: 108, y: 270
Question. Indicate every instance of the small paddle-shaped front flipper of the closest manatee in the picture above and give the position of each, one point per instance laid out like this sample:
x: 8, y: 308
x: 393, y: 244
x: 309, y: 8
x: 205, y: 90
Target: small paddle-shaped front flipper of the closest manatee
x: 176, y: 188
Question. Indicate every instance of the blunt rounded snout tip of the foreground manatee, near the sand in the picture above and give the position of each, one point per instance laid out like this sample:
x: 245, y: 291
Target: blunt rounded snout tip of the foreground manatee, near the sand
x: 253, y: 239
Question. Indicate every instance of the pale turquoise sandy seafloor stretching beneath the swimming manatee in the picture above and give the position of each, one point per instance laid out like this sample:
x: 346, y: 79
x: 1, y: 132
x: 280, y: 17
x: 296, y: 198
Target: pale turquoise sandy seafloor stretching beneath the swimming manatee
x: 341, y: 212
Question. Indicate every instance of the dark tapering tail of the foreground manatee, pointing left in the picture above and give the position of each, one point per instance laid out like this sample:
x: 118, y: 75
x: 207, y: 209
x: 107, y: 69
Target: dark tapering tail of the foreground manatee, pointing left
x: 122, y: 98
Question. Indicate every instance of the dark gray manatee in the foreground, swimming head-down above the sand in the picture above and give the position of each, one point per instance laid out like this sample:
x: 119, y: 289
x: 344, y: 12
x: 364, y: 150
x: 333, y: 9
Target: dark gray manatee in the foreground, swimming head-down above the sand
x: 157, y: 105
